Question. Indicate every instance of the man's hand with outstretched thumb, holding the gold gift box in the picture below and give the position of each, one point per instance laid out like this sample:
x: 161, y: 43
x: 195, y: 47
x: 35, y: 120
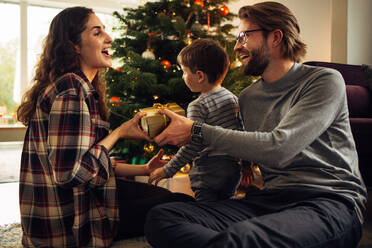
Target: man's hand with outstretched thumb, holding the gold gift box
x: 178, y: 132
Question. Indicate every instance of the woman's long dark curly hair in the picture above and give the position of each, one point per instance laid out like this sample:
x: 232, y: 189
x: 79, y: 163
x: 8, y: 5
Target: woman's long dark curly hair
x: 58, y: 57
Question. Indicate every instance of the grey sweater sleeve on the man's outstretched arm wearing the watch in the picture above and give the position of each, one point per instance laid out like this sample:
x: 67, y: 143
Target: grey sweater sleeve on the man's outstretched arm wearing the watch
x: 307, y: 119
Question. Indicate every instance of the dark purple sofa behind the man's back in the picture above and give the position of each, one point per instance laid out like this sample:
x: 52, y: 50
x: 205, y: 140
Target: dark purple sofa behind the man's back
x: 358, y: 80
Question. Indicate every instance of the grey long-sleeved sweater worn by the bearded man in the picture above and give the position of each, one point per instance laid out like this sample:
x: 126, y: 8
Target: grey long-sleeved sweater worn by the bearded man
x: 298, y: 131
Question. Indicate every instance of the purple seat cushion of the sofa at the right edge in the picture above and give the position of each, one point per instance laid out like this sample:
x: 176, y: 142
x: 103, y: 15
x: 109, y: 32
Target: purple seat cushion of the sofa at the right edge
x: 359, y: 101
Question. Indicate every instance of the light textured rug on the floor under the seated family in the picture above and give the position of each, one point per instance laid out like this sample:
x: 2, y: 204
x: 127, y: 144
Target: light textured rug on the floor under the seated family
x: 11, y: 234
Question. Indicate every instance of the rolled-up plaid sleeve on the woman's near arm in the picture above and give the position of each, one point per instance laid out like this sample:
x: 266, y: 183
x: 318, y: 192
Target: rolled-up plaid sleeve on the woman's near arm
x: 73, y: 154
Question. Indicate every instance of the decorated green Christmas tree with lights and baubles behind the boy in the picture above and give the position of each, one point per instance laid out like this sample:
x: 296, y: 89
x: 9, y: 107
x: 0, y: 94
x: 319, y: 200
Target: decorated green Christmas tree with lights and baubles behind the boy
x: 151, y: 36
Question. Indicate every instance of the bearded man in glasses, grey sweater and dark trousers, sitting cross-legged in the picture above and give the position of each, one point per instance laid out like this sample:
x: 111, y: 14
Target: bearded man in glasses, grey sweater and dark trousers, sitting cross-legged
x: 297, y: 131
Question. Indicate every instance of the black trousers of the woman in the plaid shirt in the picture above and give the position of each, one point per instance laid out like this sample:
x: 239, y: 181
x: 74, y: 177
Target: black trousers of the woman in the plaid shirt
x: 135, y: 201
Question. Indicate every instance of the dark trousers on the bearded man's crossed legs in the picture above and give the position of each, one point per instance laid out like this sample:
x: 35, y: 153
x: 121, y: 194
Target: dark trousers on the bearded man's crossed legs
x: 262, y: 219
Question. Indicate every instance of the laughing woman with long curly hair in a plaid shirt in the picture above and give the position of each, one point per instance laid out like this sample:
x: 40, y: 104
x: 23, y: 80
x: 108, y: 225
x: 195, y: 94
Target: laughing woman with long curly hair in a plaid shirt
x: 69, y: 196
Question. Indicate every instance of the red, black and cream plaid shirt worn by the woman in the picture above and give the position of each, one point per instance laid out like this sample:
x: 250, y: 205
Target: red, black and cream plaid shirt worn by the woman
x: 67, y: 186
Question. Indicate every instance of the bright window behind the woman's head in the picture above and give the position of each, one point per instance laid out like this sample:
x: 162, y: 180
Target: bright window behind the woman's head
x: 17, y: 64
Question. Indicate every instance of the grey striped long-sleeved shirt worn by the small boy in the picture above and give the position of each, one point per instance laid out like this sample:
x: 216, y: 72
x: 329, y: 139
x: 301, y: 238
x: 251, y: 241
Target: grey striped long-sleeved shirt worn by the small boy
x: 218, y: 108
